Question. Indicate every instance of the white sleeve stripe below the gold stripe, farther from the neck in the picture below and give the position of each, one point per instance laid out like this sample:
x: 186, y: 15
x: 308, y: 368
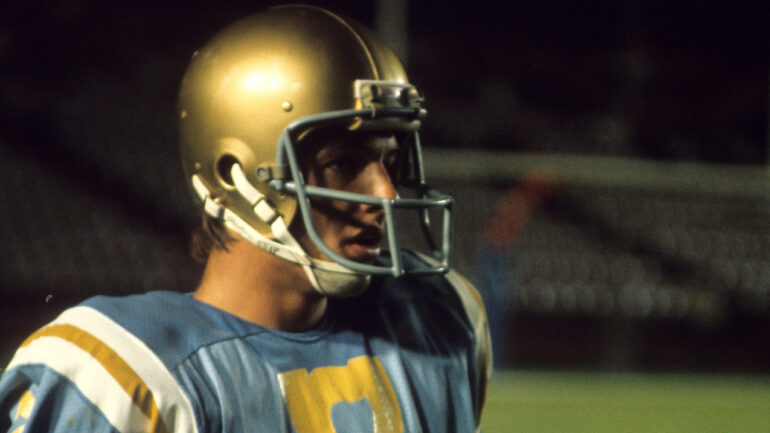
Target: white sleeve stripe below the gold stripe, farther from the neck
x: 90, y: 376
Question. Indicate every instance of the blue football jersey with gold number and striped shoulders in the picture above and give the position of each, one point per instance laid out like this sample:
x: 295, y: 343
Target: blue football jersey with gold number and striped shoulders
x: 409, y: 355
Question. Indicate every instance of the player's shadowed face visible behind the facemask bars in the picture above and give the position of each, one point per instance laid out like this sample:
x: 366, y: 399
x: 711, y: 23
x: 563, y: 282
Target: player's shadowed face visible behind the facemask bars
x: 357, y: 163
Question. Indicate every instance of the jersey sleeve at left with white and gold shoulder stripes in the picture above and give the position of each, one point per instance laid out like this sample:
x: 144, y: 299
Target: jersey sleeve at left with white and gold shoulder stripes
x: 83, y: 372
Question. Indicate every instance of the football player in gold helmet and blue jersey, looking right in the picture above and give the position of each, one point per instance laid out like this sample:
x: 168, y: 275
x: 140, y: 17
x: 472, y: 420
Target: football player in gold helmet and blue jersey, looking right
x: 299, y: 132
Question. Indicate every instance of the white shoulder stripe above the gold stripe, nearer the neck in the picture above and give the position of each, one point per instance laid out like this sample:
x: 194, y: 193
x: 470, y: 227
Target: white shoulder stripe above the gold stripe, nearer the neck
x: 174, y: 406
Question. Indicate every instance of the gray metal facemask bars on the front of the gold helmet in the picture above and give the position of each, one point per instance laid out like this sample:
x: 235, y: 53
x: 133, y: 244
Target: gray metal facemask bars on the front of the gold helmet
x: 431, y: 198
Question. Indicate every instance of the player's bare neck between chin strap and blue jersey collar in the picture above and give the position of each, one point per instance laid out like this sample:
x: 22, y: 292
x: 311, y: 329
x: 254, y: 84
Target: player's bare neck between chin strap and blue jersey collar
x: 257, y: 286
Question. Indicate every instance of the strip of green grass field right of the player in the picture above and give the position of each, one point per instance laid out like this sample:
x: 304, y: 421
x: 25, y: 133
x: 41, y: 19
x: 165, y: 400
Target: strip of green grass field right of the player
x: 534, y: 402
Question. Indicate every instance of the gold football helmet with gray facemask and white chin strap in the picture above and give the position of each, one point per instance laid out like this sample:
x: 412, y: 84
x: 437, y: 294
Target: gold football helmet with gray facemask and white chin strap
x: 246, y: 100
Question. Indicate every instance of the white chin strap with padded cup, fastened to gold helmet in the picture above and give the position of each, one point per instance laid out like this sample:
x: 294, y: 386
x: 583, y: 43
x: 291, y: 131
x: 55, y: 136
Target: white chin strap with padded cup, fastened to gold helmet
x: 328, y: 278
